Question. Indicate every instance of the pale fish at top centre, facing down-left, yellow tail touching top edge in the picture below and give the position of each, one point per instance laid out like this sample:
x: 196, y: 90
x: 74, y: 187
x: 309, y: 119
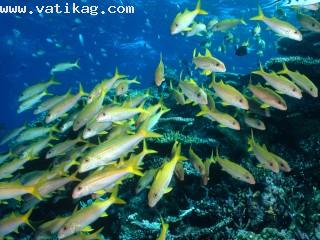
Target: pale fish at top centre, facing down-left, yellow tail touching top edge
x: 183, y: 20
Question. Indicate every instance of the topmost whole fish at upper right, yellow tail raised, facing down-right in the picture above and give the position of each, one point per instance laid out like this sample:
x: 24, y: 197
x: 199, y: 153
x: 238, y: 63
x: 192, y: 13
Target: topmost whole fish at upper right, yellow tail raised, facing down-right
x: 280, y: 27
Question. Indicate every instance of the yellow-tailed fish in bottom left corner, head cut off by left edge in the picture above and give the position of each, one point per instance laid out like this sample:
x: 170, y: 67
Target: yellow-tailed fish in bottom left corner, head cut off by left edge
x: 12, y: 222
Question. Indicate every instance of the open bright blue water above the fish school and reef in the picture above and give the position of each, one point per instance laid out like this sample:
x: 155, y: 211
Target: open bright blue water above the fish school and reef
x: 31, y: 44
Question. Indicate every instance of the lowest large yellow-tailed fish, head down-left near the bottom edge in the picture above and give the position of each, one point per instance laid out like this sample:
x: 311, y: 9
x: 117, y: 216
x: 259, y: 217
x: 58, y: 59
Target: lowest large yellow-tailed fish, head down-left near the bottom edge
x: 81, y: 219
